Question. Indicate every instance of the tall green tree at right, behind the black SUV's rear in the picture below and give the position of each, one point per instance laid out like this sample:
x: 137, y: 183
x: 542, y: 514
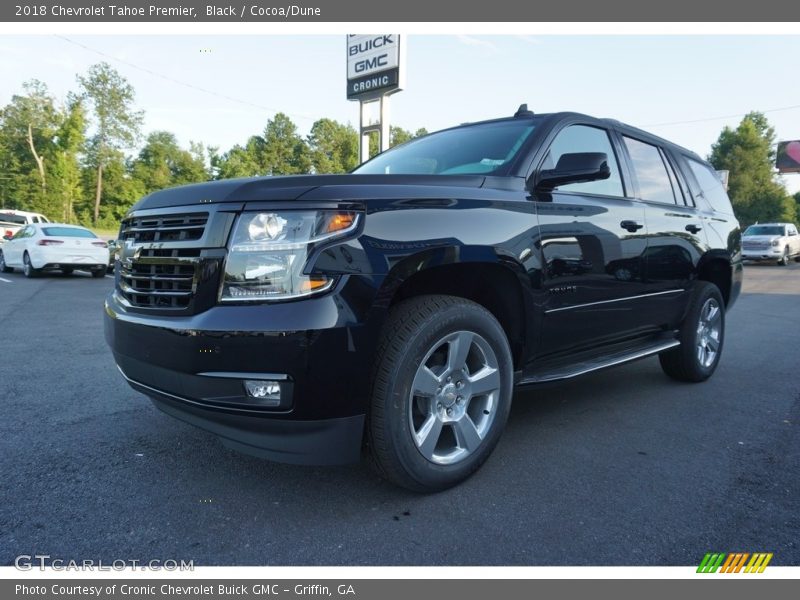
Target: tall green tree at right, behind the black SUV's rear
x: 748, y: 153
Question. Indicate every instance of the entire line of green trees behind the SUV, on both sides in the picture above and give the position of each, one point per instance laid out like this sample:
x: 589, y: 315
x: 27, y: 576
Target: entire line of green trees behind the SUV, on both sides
x: 75, y: 161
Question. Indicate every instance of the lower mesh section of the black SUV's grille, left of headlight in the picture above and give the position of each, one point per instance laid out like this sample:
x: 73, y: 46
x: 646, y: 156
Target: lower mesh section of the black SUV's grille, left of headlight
x: 159, y: 278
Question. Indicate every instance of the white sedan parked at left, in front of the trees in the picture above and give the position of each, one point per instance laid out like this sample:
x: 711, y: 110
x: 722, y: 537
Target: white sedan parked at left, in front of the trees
x: 48, y: 246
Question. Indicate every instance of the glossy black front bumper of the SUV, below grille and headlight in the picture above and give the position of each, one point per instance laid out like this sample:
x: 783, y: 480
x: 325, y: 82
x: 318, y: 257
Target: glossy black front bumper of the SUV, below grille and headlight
x: 193, y: 368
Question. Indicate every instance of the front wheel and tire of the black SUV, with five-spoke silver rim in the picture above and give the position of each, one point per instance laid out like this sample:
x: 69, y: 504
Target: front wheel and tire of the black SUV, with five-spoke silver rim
x: 441, y: 392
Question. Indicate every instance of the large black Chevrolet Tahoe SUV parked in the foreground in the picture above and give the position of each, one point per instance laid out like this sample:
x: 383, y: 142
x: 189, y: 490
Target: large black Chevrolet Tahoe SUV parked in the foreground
x: 394, y: 309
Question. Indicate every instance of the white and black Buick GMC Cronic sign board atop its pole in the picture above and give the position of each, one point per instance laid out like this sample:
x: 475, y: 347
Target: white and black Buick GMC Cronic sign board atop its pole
x: 373, y: 65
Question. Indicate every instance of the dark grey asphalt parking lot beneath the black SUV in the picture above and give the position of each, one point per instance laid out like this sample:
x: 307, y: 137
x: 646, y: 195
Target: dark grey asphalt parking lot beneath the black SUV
x: 622, y: 467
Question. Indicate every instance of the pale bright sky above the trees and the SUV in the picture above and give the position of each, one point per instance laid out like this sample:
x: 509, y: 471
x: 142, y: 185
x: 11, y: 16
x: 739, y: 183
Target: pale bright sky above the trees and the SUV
x: 219, y: 90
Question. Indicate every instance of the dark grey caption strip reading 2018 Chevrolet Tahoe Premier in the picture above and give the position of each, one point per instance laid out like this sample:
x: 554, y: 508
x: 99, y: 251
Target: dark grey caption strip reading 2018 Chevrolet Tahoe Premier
x: 393, y: 11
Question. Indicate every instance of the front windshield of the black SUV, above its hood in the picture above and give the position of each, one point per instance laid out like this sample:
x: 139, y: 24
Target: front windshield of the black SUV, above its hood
x: 487, y: 148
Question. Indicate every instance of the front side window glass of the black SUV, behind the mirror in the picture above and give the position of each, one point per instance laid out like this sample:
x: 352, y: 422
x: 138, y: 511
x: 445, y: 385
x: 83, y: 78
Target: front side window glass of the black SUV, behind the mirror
x: 583, y: 138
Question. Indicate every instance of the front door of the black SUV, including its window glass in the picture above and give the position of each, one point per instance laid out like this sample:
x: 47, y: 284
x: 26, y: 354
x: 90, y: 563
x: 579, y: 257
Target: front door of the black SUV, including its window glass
x: 591, y: 237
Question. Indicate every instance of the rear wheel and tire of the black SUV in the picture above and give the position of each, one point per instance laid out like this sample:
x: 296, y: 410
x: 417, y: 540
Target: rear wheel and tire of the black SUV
x: 702, y: 335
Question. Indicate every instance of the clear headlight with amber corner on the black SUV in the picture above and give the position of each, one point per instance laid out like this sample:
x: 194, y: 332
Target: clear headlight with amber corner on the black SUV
x: 269, y: 250
